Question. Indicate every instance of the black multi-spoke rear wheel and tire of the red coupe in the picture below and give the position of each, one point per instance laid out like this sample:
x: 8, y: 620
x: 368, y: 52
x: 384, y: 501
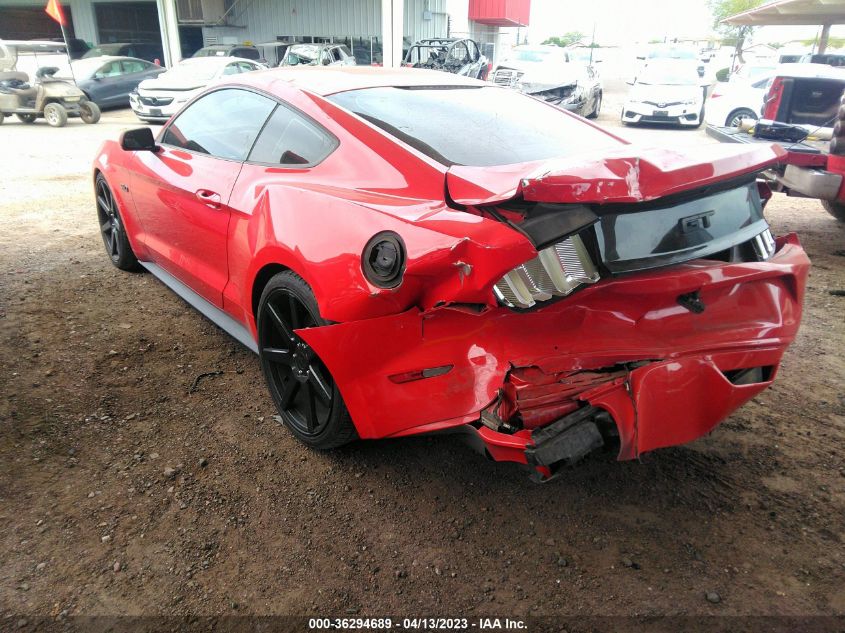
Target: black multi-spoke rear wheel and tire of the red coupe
x: 307, y: 398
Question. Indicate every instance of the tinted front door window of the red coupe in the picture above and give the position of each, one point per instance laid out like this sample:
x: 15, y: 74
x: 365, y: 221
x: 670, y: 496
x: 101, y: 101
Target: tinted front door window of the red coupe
x: 223, y: 123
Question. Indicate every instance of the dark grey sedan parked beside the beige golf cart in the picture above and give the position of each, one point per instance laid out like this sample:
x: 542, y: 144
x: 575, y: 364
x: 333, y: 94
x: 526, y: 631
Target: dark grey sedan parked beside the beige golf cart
x: 107, y: 81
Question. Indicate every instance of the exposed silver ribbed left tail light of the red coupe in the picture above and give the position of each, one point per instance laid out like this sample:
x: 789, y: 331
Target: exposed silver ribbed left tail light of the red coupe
x: 556, y: 272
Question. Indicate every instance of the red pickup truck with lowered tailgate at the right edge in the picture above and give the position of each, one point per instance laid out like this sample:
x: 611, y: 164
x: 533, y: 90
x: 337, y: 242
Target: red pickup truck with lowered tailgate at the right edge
x: 804, y: 112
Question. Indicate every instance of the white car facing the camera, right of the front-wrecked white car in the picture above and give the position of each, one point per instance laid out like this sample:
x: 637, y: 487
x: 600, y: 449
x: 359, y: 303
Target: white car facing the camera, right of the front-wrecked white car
x: 666, y: 91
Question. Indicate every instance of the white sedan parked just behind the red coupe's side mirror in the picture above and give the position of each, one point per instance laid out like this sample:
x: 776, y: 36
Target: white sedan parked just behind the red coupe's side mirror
x: 156, y: 100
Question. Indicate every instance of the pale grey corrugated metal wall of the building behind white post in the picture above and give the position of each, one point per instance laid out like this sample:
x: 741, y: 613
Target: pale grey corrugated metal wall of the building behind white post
x: 266, y: 19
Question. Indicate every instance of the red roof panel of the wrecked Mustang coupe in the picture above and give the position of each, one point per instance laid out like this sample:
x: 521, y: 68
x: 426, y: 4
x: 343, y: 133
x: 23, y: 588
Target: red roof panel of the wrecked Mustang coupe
x: 327, y: 80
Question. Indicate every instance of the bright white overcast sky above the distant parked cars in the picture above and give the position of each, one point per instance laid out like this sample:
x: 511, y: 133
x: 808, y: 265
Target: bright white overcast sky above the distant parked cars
x: 620, y: 22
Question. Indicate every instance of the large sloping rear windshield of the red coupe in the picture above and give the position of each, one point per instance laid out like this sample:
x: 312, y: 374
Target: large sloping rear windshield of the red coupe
x: 474, y: 126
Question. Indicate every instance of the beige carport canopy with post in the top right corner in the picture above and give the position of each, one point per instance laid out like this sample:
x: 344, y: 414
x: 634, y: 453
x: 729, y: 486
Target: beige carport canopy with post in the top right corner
x: 794, y: 12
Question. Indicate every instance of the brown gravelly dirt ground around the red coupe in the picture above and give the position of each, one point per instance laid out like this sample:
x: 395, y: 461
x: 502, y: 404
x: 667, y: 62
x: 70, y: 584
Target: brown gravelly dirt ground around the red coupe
x: 121, y: 491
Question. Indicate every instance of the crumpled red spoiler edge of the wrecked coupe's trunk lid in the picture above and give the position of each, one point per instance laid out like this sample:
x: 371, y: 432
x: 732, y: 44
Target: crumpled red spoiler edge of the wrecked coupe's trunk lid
x: 624, y: 175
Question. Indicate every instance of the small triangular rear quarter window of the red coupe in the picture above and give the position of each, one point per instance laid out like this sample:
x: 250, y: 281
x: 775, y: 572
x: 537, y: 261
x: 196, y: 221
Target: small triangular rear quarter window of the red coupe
x: 291, y: 139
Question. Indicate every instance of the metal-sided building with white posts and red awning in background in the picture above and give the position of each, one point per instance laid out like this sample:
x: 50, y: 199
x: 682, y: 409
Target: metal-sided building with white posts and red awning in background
x: 183, y: 26
